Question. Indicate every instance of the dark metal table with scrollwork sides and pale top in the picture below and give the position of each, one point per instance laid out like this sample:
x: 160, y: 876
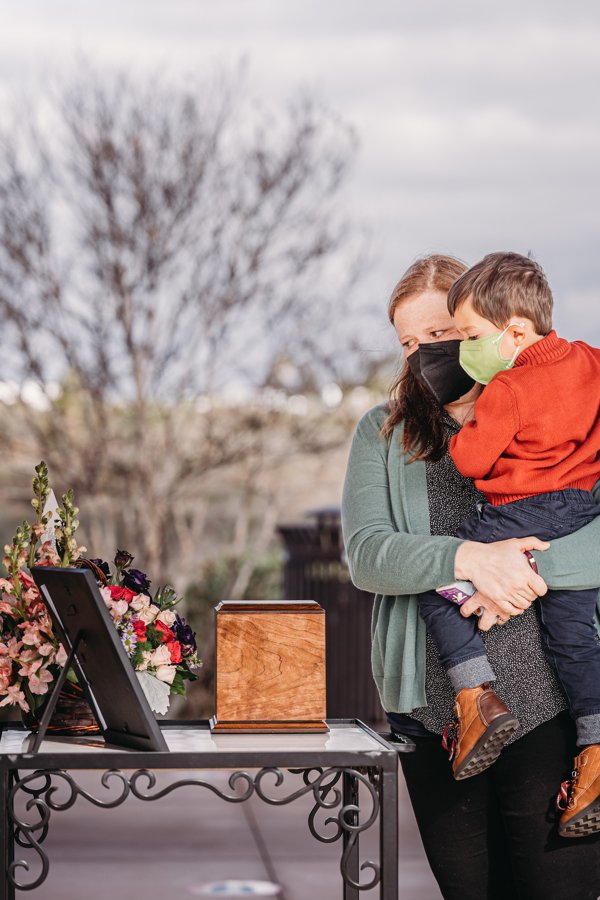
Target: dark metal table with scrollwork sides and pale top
x: 330, y: 766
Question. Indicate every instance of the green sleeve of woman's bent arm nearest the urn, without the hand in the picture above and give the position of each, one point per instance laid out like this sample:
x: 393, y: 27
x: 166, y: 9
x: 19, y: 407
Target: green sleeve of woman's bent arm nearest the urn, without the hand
x: 382, y: 559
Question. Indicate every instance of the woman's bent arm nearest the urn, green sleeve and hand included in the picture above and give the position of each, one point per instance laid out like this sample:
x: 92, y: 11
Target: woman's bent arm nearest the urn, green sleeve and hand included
x: 384, y: 560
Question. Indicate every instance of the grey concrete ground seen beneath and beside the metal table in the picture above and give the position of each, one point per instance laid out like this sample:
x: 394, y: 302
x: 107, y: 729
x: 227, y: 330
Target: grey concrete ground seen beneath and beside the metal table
x: 174, y: 847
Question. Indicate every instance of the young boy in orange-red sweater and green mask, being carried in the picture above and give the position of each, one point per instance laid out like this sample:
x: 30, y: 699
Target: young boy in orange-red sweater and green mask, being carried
x: 533, y: 449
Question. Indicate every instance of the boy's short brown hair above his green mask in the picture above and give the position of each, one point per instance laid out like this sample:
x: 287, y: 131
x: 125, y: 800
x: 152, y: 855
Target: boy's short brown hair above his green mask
x: 504, y: 285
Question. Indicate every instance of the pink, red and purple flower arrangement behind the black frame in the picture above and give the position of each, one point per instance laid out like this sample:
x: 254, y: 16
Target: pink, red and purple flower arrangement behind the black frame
x: 160, y: 644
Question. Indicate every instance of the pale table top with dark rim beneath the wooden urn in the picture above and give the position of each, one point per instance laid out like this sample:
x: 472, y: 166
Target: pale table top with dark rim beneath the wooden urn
x: 193, y: 745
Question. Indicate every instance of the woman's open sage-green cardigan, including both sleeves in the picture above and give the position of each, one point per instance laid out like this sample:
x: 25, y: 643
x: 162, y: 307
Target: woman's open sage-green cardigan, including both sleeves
x: 391, y: 553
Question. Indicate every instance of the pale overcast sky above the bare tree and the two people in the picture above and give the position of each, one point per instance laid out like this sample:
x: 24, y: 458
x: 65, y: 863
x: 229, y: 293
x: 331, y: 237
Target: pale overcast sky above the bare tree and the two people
x: 479, y: 123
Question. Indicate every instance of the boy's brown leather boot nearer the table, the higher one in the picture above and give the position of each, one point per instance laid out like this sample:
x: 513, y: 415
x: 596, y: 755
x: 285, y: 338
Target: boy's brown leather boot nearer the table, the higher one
x: 482, y: 726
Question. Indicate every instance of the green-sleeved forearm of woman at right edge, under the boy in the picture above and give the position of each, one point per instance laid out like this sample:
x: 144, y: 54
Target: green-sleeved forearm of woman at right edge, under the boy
x: 573, y: 562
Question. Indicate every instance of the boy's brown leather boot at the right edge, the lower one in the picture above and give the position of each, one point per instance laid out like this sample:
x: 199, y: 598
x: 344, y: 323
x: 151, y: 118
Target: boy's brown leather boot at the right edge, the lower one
x: 580, y: 796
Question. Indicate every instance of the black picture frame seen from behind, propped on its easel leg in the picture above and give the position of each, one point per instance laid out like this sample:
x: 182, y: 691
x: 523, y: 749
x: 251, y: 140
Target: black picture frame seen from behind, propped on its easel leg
x: 84, y: 626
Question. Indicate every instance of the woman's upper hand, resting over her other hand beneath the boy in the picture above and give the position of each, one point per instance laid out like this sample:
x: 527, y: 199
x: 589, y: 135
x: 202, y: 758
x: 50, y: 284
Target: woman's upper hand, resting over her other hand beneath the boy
x: 502, y: 572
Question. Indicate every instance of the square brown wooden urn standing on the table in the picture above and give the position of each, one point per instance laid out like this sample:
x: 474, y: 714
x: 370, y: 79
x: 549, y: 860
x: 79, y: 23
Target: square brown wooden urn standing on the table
x: 270, y: 666
